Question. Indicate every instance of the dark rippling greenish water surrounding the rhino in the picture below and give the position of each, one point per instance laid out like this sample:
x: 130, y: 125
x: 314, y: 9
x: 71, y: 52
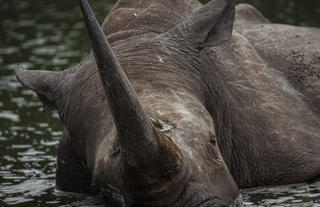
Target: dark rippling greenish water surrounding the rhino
x: 49, y: 34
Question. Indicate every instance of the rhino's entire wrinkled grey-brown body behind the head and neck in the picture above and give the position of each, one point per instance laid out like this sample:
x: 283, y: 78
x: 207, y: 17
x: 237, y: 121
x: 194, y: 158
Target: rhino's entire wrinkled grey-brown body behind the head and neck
x: 271, y: 74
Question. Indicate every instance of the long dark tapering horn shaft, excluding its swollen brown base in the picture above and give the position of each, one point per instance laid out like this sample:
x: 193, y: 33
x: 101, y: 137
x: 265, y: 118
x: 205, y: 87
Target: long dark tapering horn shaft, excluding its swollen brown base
x: 134, y: 128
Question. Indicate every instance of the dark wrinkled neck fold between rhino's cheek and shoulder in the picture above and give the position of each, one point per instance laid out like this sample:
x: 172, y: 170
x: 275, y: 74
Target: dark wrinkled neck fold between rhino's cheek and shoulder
x: 232, y: 130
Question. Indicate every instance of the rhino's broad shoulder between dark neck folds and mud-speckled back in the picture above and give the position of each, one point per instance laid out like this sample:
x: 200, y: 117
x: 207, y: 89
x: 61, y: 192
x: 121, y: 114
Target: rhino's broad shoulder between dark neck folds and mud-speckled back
x: 268, y: 120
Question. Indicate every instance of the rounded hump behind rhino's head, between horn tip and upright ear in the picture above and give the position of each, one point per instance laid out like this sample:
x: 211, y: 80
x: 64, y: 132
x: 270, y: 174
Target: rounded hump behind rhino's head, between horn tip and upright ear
x: 142, y: 15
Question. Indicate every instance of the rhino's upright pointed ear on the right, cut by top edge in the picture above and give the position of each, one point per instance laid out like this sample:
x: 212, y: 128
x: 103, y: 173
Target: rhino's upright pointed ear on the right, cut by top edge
x: 210, y: 25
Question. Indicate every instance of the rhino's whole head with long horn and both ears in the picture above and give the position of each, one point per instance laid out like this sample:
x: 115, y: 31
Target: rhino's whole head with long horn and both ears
x: 136, y: 109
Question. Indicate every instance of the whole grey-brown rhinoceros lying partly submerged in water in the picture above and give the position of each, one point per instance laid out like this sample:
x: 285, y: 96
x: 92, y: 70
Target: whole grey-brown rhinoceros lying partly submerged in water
x: 181, y: 104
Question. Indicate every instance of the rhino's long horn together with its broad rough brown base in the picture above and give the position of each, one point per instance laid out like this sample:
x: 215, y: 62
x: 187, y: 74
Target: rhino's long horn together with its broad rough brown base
x: 150, y: 160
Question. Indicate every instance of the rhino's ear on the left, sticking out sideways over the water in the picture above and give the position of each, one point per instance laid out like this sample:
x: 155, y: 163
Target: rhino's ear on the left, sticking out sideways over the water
x: 46, y: 84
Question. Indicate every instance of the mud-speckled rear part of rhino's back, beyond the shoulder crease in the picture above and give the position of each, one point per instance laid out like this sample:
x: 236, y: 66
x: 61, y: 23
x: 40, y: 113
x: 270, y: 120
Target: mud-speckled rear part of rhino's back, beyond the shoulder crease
x: 293, y: 53
